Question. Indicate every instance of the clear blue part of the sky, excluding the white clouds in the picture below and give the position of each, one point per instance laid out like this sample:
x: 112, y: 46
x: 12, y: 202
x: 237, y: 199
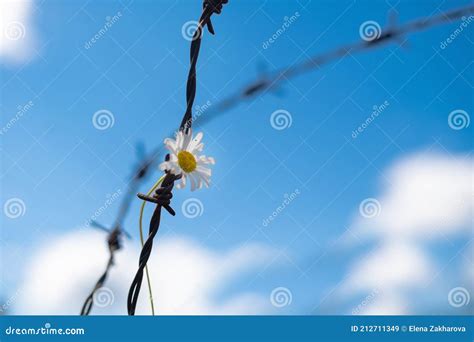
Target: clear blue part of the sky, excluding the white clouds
x: 63, y: 168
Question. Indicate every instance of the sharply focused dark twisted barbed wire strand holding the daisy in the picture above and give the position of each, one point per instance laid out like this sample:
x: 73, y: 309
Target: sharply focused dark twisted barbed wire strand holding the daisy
x: 162, y: 196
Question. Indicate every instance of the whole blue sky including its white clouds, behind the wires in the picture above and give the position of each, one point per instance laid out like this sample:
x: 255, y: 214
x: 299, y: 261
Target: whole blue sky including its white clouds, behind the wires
x: 347, y: 190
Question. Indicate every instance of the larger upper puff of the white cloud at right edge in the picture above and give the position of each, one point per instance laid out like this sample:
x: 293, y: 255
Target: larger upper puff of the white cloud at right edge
x: 429, y: 194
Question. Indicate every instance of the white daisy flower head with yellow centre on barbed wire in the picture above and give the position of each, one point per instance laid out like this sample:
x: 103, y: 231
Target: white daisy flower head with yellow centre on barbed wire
x: 184, y: 158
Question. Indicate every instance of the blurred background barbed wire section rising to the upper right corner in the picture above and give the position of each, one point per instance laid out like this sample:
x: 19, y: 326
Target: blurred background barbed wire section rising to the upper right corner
x: 391, y: 33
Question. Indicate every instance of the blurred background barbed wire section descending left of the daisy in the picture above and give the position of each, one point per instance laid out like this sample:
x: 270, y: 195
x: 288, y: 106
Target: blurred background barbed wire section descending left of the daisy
x: 115, y: 234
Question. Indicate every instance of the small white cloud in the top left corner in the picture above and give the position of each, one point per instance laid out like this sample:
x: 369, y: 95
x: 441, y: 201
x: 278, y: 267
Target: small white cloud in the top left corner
x: 17, y: 37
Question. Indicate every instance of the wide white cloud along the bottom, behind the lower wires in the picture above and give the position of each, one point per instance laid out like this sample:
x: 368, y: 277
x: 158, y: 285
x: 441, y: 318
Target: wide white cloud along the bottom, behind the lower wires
x: 187, y: 277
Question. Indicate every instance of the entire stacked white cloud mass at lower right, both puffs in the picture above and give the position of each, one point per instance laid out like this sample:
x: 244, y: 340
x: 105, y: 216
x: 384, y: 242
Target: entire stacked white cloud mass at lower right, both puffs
x: 429, y: 197
